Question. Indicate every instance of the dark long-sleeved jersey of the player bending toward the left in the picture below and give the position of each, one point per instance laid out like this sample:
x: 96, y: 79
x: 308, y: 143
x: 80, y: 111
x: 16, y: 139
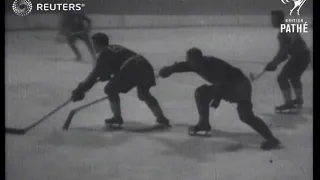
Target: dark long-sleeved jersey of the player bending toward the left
x: 109, y: 63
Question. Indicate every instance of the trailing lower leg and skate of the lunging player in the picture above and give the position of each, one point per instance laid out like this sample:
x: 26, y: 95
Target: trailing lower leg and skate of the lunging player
x: 247, y: 116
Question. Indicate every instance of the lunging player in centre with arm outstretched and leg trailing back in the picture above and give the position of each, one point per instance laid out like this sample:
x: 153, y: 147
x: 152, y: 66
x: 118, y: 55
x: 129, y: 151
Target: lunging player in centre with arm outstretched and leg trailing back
x: 227, y: 83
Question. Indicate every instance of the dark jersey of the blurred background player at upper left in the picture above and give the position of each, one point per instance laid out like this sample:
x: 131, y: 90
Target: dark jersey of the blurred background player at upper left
x: 74, y: 22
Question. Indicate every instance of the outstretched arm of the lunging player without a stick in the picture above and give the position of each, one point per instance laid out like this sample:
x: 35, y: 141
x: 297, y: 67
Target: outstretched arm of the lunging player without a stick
x: 177, y: 67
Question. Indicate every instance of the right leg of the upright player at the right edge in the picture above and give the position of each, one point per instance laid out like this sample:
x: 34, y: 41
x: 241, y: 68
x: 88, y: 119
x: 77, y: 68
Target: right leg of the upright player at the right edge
x: 295, y: 77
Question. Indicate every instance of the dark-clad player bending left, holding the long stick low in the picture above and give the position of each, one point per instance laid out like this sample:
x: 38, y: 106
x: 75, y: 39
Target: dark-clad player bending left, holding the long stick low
x: 124, y: 69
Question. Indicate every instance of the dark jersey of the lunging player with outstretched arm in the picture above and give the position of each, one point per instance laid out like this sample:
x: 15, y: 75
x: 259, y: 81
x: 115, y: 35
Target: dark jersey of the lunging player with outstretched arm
x: 213, y: 70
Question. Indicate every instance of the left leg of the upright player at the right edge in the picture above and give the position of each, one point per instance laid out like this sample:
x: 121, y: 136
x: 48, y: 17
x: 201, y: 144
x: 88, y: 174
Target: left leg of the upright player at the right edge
x: 284, y: 84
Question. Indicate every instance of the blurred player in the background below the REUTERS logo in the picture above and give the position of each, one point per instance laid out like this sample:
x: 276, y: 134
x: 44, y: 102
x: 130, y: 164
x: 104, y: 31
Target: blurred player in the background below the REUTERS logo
x: 76, y: 26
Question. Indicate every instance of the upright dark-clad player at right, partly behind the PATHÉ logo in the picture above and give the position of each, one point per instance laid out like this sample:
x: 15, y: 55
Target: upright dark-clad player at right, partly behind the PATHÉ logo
x: 293, y: 49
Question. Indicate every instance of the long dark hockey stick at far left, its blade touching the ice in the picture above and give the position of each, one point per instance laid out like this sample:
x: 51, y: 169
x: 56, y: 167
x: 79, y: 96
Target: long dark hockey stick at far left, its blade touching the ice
x: 19, y: 131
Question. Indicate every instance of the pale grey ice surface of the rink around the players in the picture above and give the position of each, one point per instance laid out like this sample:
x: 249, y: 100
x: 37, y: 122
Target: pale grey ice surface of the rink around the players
x: 40, y: 75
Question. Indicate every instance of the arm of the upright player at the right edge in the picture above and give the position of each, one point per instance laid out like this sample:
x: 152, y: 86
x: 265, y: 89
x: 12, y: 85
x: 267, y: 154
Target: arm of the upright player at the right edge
x: 282, y: 54
